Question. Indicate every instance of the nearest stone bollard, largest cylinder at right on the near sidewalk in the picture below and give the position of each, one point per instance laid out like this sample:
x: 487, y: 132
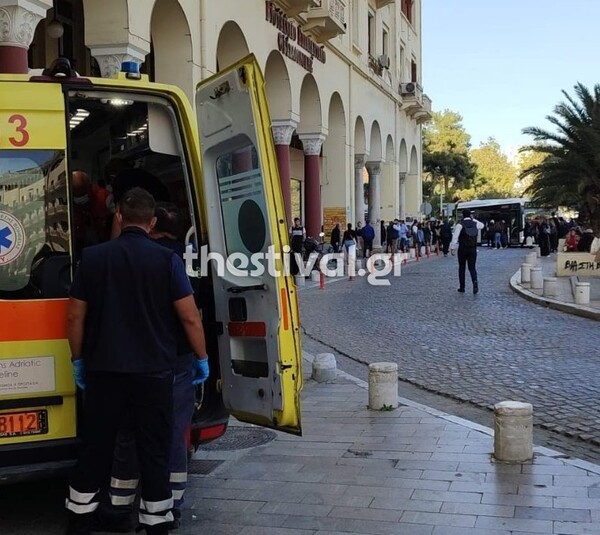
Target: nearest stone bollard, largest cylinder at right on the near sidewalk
x: 513, y: 431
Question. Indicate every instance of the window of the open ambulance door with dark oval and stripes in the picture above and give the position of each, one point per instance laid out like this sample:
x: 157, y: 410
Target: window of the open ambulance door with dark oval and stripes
x: 241, y: 190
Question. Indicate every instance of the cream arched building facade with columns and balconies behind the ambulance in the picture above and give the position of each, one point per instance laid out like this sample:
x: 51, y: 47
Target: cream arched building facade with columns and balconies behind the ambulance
x: 343, y: 78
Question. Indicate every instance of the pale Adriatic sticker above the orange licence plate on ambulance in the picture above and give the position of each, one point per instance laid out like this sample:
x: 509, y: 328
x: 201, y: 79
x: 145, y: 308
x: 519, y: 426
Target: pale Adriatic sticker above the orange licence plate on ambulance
x: 27, y: 375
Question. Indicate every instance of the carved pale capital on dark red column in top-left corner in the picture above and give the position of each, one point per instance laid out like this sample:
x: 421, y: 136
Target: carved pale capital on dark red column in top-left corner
x: 18, y: 20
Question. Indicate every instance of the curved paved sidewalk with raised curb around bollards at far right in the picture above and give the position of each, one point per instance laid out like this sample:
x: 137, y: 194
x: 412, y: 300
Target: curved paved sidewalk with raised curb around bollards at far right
x: 564, y: 300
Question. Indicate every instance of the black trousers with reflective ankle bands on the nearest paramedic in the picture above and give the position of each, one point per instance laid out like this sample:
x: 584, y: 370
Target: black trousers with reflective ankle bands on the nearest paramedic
x: 108, y: 399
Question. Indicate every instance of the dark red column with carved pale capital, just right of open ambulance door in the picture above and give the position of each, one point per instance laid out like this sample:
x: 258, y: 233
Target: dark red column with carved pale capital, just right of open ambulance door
x: 312, y: 182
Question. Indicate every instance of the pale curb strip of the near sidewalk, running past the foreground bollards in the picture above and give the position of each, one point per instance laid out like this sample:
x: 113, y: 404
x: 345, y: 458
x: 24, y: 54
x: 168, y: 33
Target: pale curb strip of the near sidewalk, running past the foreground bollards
x: 539, y: 450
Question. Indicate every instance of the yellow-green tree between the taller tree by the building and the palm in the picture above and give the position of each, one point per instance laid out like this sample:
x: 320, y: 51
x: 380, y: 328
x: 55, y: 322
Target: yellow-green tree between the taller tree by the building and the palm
x: 495, y: 176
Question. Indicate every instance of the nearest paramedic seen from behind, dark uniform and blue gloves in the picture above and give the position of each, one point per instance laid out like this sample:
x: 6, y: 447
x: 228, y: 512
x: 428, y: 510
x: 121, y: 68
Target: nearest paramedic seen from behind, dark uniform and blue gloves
x: 127, y: 298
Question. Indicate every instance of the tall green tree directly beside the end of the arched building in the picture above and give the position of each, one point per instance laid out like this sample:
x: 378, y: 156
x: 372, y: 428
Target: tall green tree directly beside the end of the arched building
x: 446, y: 161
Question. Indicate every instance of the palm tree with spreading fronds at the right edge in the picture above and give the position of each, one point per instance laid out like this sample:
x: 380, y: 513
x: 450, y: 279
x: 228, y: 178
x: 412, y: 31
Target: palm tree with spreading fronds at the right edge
x: 569, y: 174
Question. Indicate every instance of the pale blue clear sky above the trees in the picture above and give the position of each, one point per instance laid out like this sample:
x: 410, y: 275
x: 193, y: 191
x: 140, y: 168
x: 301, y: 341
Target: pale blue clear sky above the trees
x: 503, y: 64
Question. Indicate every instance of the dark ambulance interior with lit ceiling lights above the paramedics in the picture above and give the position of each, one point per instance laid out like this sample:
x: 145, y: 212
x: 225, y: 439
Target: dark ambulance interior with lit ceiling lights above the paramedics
x: 123, y: 140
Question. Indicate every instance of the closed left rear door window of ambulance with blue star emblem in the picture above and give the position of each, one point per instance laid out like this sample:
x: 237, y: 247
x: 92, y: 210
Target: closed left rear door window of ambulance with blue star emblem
x: 34, y: 225
